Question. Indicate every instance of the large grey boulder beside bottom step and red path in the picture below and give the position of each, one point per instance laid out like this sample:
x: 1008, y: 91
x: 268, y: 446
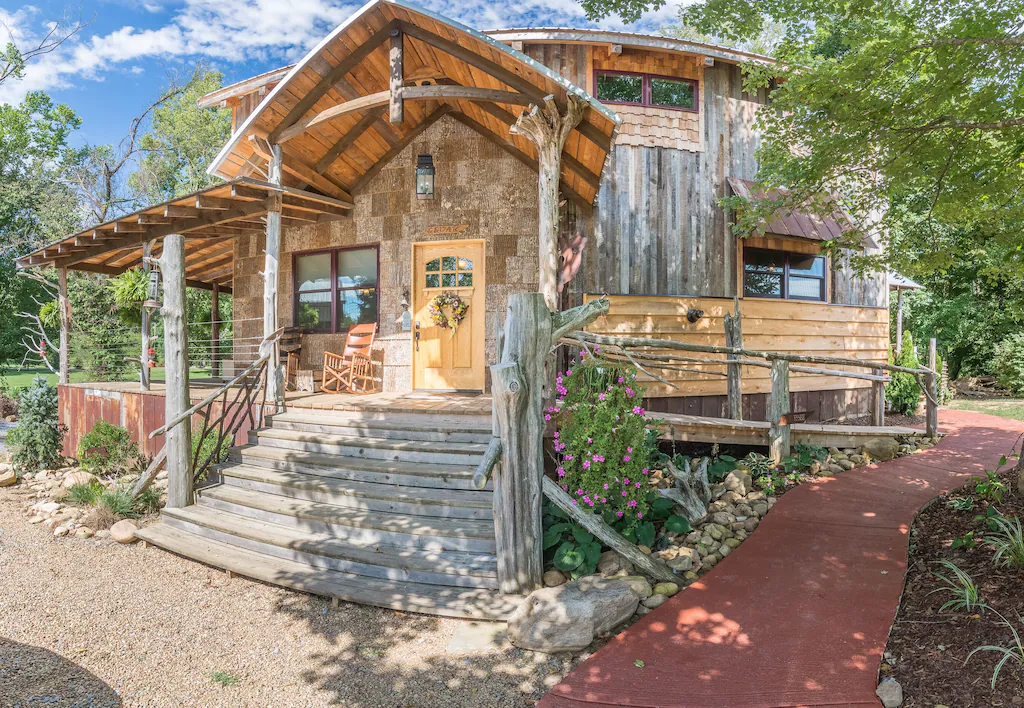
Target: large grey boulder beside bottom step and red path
x: 570, y: 617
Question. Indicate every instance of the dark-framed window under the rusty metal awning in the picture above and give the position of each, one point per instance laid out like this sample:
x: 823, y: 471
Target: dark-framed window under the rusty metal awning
x: 784, y: 275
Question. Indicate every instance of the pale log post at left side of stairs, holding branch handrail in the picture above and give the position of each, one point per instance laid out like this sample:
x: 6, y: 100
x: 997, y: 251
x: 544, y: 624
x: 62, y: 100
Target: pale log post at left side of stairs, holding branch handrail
x: 179, y: 442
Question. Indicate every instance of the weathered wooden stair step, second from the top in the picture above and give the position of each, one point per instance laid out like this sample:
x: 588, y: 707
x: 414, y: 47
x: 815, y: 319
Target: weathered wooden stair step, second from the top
x: 372, y: 448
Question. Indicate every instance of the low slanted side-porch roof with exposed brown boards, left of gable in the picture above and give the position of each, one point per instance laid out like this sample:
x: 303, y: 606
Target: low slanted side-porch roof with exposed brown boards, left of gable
x: 208, y: 219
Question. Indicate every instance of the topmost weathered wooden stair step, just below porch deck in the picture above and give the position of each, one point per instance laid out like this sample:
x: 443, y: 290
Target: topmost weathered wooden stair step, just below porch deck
x: 403, y: 427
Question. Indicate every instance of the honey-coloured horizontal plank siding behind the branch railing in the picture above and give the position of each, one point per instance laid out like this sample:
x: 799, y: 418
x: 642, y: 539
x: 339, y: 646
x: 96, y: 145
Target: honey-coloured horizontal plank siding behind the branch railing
x: 790, y: 326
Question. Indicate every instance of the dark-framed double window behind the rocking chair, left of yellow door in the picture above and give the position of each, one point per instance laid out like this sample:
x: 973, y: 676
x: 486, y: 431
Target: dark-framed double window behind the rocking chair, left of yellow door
x: 335, y: 289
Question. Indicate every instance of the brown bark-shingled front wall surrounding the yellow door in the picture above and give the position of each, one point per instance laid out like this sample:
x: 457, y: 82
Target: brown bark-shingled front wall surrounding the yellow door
x: 477, y: 184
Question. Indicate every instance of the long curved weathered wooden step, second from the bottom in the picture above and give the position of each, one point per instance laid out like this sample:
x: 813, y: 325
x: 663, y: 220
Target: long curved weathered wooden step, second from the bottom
x: 318, y: 551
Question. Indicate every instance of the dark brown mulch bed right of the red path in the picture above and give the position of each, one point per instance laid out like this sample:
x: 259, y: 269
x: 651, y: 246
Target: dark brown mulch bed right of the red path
x: 927, y: 648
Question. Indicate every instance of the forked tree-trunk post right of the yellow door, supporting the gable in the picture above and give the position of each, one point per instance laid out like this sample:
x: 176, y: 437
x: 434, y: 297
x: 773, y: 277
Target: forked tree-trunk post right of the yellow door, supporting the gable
x: 549, y: 130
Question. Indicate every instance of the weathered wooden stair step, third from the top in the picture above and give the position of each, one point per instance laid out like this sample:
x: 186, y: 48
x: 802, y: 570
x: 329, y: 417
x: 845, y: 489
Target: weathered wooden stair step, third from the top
x: 357, y: 469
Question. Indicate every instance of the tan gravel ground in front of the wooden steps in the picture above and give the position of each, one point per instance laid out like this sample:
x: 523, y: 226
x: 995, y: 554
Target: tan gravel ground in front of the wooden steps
x: 92, y: 624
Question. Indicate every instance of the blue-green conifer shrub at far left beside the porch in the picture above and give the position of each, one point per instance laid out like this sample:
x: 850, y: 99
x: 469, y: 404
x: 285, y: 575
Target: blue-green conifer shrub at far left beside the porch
x: 37, y: 440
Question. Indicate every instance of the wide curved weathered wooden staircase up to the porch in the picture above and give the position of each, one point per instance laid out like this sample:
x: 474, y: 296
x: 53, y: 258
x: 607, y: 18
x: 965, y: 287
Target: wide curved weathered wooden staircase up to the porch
x: 363, y: 507
